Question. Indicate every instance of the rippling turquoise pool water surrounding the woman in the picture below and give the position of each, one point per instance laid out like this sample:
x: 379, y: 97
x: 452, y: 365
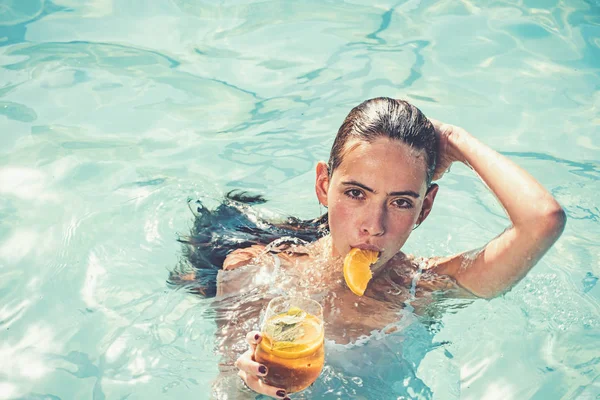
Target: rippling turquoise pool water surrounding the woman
x: 113, y: 113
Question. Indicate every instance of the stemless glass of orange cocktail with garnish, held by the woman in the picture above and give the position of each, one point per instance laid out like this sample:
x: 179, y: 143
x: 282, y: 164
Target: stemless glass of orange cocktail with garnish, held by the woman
x: 292, y: 345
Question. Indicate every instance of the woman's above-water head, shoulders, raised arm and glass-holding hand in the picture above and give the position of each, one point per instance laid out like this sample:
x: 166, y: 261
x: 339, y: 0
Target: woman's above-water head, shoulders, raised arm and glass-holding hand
x: 377, y: 188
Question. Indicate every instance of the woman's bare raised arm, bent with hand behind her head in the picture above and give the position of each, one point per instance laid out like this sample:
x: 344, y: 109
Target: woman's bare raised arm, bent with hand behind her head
x: 537, y: 218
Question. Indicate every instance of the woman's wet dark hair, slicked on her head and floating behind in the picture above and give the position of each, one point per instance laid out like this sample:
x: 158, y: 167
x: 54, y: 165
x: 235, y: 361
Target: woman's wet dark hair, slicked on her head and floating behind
x: 233, y: 225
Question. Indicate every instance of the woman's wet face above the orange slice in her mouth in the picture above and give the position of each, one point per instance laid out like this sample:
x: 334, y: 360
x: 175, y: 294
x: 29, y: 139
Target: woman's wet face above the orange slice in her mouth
x: 375, y: 197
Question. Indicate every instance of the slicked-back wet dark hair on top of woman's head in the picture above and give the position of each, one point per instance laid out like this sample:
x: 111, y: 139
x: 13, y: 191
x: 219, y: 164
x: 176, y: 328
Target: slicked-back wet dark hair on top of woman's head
x: 385, y: 117
